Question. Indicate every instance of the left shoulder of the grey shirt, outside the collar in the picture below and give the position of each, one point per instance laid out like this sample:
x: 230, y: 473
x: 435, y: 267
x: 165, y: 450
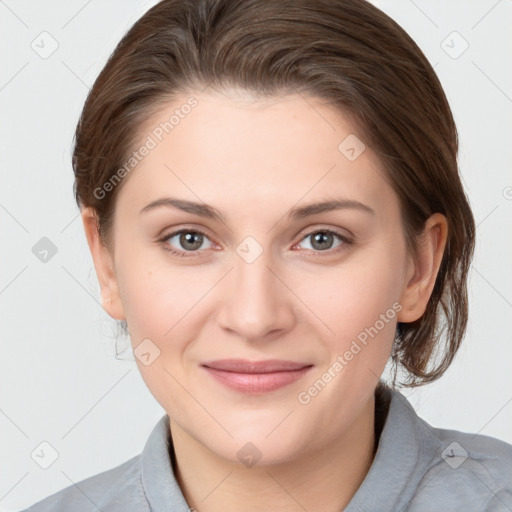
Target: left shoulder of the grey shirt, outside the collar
x: 117, y: 489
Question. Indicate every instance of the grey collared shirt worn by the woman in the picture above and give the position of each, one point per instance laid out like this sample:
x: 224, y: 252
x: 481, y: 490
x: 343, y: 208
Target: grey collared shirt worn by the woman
x: 417, y: 468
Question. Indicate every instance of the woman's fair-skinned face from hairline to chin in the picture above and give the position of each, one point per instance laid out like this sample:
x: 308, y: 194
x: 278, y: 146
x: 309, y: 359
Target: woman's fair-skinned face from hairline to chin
x: 265, y: 276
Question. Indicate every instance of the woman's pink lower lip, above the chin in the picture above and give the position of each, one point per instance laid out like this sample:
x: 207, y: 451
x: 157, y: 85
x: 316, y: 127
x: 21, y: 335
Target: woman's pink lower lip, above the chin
x: 257, y: 383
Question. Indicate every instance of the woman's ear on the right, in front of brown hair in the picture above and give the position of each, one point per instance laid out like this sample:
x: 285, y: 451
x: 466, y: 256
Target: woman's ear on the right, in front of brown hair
x: 422, y: 271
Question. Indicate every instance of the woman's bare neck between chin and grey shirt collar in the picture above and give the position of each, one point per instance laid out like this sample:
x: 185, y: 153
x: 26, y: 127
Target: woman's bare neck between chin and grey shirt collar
x: 324, y: 480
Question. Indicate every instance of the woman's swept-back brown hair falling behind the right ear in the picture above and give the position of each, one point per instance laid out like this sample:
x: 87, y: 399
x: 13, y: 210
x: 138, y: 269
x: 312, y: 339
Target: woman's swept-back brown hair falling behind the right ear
x: 345, y: 51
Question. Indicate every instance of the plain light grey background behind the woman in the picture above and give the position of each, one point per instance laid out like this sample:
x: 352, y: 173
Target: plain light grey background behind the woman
x: 60, y: 382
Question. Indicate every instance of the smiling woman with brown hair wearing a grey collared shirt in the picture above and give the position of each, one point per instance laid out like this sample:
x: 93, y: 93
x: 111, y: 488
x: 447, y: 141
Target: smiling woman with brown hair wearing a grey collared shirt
x: 271, y: 197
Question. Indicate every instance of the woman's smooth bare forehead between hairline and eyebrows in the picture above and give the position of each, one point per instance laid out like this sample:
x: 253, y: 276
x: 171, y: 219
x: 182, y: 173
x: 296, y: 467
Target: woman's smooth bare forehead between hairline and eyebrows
x: 233, y: 147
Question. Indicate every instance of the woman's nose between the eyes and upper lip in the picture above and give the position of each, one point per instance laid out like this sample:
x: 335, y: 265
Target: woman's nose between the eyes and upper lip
x: 258, y: 305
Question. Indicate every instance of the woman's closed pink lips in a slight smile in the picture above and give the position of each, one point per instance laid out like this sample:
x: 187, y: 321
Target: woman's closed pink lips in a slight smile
x: 256, y: 377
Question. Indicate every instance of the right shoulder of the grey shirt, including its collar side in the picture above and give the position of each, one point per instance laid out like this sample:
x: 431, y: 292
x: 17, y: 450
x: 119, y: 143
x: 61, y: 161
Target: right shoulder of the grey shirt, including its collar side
x: 439, y: 469
